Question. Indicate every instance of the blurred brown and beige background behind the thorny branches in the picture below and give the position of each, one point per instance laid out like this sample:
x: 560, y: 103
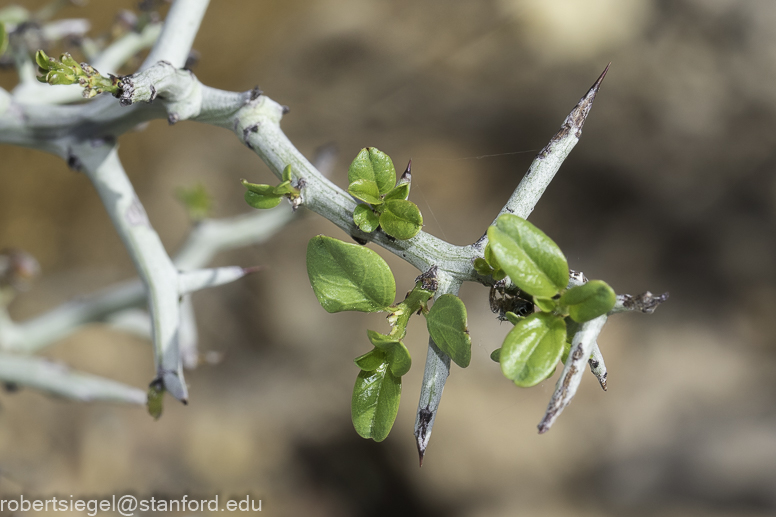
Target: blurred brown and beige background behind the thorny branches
x: 671, y: 188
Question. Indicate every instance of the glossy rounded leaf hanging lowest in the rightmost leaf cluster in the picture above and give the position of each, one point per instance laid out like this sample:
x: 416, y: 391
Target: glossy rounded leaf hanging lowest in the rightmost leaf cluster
x: 532, y: 349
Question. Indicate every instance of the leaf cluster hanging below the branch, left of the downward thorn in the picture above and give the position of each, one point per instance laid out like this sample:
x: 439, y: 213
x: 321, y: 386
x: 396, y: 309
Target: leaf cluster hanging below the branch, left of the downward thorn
x: 348, y: 277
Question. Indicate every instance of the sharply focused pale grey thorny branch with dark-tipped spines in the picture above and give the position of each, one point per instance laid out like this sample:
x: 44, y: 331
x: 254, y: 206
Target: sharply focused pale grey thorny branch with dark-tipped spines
x: 84, y: 135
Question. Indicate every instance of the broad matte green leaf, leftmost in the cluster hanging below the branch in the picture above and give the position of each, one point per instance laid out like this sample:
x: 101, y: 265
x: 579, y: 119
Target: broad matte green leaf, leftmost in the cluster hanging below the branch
x: 348, y: 277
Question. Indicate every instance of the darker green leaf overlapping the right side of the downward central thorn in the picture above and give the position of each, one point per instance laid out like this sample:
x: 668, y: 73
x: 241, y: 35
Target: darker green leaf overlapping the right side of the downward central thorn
x: 446, y: 323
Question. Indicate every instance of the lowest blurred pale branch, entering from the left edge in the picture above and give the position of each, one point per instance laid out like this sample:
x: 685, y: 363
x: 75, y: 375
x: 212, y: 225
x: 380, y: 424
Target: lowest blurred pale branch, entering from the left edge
x: 57, y: 379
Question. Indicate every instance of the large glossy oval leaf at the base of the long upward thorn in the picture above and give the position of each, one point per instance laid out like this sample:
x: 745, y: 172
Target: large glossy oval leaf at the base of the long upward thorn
x: 530, y: 258
